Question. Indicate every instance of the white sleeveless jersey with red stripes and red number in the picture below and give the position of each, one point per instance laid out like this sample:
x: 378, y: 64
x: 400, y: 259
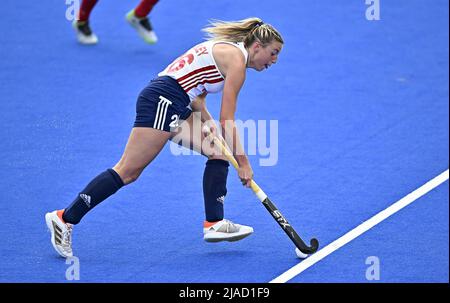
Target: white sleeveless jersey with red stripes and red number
x: 197, y: 72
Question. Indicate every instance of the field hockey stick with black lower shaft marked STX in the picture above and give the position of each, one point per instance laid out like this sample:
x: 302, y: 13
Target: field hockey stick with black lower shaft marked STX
x: 269, y: 205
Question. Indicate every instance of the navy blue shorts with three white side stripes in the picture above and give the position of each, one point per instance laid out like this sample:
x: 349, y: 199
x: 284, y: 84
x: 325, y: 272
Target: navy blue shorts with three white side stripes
x: 162, y: 105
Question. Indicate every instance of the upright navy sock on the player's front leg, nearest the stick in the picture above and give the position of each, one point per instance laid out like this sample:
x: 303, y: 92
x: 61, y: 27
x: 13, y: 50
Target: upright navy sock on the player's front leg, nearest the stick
x: 215, y: 188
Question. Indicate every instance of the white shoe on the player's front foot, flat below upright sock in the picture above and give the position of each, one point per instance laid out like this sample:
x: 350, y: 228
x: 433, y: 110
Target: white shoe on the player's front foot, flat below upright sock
x: 225, y: 230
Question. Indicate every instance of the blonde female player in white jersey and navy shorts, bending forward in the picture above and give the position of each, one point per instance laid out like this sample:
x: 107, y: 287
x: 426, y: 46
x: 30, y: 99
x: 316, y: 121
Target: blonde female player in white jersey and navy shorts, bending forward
x: 164, y: 112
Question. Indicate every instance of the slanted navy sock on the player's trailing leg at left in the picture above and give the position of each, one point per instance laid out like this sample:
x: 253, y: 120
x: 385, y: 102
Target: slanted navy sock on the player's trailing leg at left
x: 100, y: 188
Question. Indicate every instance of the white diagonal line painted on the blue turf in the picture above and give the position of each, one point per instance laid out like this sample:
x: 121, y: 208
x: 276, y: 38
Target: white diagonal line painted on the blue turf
x: 362, y: 228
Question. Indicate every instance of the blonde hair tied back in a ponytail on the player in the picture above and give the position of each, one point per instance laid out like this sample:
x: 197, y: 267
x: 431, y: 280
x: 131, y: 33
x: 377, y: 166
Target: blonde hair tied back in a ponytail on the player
x: 247, y: 30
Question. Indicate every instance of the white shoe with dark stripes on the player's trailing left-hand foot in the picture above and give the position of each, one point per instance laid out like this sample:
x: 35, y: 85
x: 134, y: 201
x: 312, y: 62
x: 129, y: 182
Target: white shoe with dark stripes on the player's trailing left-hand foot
x: 61, y: 234
